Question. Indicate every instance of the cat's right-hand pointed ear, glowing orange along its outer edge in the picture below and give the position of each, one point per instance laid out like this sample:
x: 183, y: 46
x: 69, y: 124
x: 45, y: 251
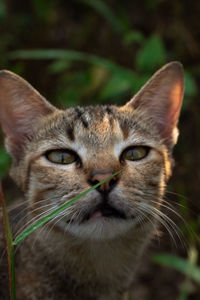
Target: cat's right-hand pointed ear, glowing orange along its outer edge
x: 161, y: 99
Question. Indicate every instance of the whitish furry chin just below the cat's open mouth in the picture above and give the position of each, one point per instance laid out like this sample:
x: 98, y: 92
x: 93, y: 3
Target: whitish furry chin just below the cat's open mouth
x: 101, y: 229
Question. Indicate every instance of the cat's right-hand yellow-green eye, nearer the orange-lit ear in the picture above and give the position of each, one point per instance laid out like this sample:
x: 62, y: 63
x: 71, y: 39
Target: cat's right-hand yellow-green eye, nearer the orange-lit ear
x: 135, y: 153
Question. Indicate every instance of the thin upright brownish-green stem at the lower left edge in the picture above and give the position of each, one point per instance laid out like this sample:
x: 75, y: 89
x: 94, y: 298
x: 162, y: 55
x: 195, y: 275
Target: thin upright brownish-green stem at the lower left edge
x: 9, y: 246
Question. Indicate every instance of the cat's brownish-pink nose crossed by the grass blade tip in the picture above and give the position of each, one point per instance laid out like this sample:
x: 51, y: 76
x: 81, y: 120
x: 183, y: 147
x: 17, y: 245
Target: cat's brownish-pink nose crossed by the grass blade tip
x: 107, y: 186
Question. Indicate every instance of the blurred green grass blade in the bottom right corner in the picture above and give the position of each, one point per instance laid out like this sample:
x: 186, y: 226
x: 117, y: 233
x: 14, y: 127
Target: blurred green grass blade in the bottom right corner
x: 179, y: 264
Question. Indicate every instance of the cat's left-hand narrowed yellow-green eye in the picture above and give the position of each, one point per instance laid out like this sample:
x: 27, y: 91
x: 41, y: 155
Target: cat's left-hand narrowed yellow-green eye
x: 64, y: 157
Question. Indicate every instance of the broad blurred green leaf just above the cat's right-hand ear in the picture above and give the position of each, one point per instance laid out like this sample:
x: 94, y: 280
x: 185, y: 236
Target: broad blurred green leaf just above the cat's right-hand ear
x: 151, y: 55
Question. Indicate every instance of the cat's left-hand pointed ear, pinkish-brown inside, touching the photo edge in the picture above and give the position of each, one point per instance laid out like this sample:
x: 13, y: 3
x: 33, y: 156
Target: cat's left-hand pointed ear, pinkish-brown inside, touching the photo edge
x: 21, y: 109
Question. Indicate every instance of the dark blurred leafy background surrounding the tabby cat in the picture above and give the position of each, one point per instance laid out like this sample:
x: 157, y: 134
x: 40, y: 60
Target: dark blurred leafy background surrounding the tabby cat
x: 102, y: 51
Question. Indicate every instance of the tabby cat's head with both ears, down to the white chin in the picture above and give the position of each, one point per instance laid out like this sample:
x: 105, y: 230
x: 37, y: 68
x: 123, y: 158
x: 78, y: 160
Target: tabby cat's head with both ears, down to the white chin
x: 59, y: 154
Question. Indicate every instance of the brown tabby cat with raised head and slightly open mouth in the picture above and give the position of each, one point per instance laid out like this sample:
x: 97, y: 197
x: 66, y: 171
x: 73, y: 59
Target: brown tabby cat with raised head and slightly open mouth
x: 93, y: 249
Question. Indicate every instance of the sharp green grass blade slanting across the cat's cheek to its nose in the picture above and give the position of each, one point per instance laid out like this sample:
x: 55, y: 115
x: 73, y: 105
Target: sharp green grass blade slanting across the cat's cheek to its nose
x: 32, y: 228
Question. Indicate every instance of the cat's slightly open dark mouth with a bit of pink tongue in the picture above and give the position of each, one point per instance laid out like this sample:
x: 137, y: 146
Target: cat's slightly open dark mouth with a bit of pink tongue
x: 104, y: 210
